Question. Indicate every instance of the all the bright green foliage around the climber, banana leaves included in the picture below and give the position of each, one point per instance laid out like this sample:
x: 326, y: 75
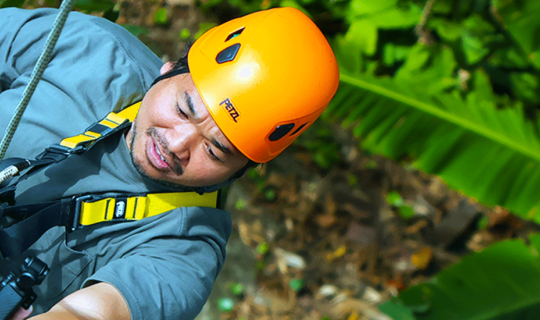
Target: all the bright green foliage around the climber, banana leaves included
x: 453, y: 87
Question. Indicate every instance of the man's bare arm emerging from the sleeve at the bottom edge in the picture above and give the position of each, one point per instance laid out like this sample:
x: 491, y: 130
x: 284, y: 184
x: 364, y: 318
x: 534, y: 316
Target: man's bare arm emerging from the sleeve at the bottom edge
x: 100, y: 301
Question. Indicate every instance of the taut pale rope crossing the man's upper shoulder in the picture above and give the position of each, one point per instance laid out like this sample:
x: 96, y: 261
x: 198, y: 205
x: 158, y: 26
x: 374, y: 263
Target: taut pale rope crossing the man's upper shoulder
x: 43, y: 60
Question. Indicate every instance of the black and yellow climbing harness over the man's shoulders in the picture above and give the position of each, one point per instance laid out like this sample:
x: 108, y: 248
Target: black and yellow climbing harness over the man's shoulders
x: 86, y: 210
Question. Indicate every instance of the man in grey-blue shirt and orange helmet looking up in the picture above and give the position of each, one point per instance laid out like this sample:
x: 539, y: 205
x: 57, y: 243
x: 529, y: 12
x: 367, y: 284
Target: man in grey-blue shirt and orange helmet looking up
x: 243, y: 93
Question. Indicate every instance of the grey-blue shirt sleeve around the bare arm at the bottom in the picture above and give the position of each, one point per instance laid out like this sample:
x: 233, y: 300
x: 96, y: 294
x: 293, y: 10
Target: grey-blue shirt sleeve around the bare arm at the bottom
x: 171, y: 277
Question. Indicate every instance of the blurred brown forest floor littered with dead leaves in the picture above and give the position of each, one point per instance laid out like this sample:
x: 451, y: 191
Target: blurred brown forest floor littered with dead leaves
x: 312, y: 243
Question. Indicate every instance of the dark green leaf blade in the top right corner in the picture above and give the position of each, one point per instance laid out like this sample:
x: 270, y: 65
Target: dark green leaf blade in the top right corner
x: 521, y: 19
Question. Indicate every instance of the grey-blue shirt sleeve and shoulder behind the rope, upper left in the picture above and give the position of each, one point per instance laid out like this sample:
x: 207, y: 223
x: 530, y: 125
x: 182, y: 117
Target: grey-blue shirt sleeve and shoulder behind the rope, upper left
x: 96, y: 67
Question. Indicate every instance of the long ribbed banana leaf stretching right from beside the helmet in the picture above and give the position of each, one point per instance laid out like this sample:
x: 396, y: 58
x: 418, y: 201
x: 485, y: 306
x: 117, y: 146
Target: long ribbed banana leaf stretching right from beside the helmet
x: 489, y: 154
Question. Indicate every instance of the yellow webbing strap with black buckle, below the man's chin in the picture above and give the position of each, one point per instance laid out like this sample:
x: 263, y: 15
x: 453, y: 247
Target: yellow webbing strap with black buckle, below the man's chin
x: 139, y: 207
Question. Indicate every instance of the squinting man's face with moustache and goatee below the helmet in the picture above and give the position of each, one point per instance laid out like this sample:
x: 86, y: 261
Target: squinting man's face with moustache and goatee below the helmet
x: 175, y: 140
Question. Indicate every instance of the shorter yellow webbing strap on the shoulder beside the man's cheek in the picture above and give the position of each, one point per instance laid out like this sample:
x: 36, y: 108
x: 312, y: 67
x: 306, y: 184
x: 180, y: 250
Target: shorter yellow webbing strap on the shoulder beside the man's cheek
x: 111, y: 121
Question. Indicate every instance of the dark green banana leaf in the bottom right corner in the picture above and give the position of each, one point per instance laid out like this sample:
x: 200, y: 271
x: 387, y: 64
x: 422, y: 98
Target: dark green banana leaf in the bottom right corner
x: 501, y: 282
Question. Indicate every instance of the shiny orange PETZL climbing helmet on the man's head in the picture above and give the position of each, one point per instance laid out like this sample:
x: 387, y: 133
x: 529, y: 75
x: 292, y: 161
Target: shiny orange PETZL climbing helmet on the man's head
x: 265, y: 78
